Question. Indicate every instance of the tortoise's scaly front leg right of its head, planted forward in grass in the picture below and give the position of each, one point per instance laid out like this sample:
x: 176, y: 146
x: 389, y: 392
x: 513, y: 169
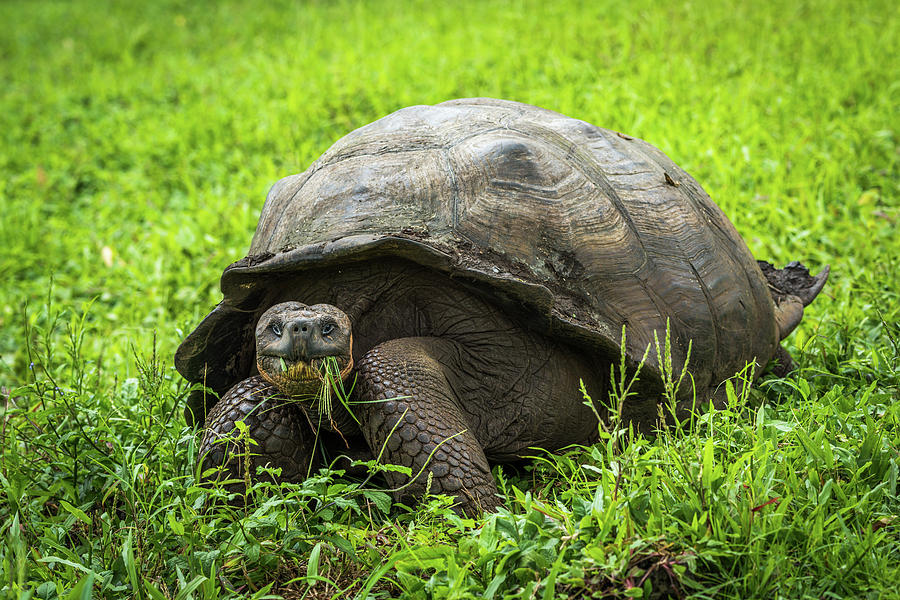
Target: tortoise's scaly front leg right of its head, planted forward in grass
x: 412, y: 413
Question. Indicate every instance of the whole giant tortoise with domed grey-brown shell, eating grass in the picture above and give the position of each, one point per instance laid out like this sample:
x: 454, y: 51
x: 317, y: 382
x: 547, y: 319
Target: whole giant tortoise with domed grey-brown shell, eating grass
x: 465, y: 266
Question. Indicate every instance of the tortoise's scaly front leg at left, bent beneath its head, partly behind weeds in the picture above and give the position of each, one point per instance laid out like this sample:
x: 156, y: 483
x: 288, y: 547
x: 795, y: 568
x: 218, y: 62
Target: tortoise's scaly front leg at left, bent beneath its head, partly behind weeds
x: 283, y: 437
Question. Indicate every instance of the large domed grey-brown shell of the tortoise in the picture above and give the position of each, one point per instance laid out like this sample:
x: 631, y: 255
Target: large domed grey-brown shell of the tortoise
x: 580, y: 229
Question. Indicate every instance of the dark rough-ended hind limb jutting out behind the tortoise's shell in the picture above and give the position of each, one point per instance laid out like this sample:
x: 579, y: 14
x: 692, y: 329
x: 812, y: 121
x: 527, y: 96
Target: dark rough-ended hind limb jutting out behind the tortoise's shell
x: 792, y: 288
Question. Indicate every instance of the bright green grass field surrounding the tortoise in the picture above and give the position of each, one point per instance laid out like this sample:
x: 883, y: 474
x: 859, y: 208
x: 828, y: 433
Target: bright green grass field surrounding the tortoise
x: 139, y: 141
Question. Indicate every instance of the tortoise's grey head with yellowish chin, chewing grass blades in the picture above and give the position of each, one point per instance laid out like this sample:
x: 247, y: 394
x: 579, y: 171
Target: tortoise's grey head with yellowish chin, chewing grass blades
x: 296, y: 344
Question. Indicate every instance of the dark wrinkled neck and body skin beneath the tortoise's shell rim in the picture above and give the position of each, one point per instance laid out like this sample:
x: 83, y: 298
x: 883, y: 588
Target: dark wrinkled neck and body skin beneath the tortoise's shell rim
x: 518, y: 387
